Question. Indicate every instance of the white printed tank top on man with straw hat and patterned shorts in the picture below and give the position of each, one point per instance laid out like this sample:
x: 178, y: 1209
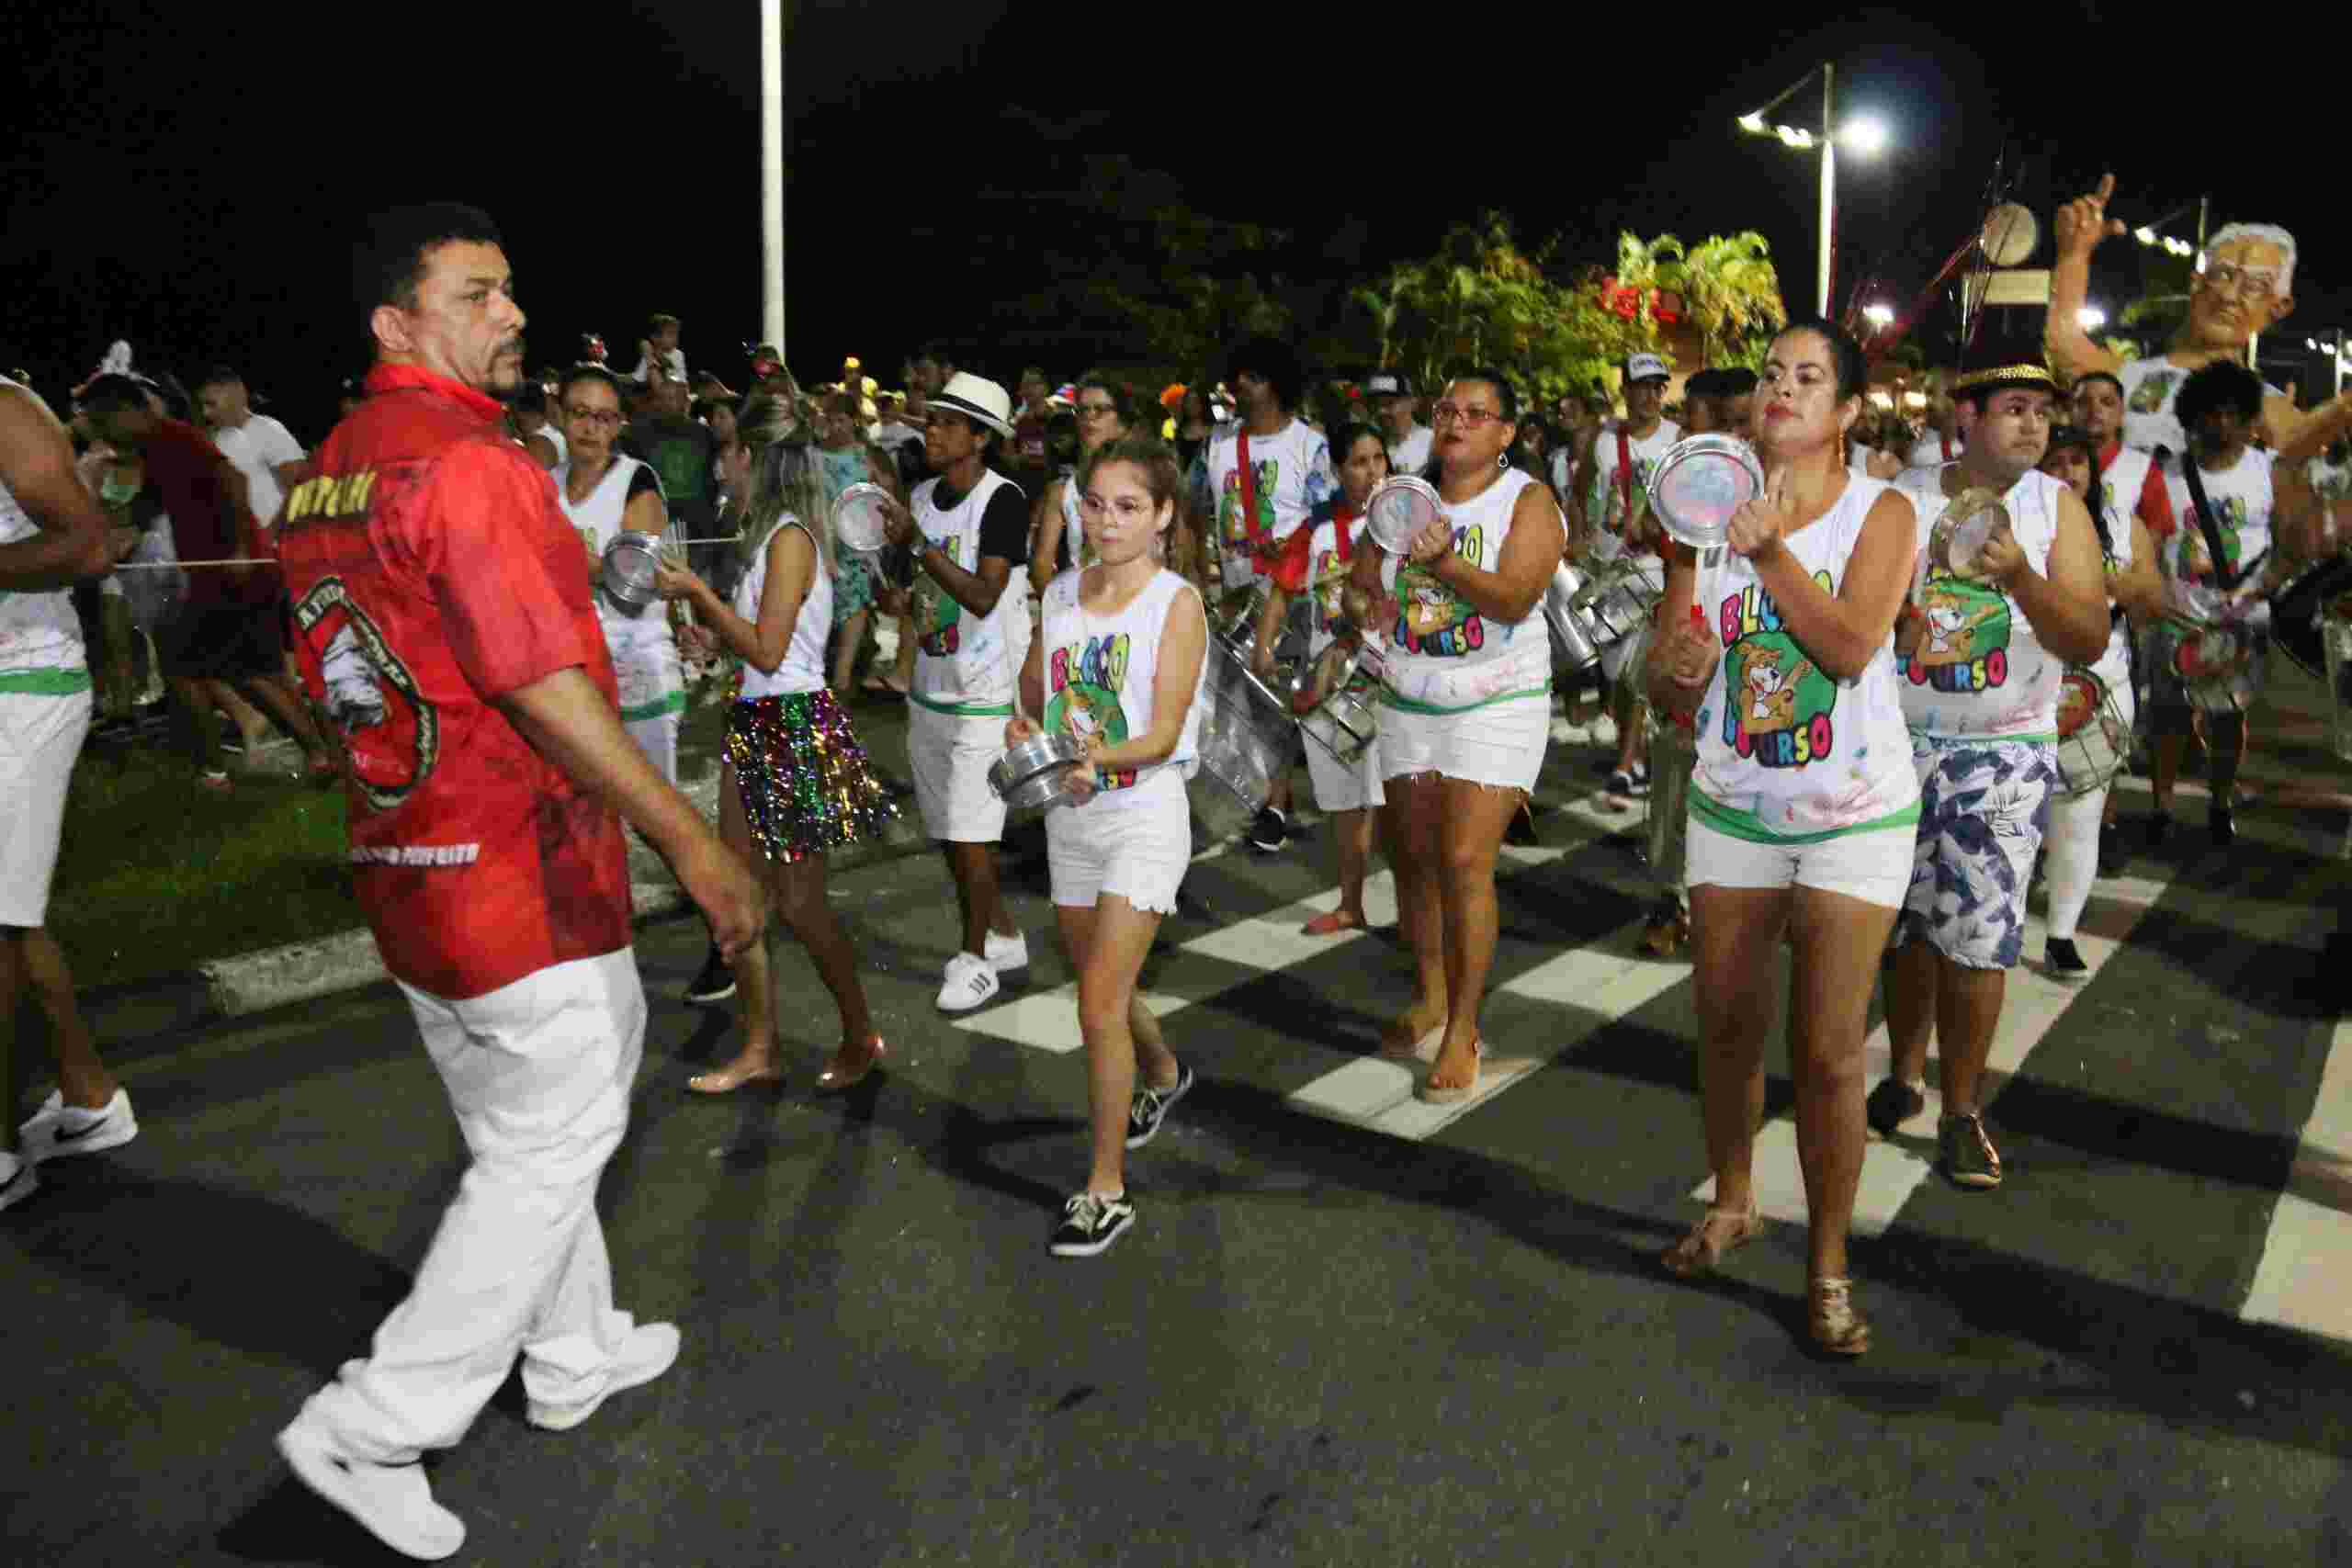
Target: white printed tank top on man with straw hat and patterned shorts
x: 1982, y: 671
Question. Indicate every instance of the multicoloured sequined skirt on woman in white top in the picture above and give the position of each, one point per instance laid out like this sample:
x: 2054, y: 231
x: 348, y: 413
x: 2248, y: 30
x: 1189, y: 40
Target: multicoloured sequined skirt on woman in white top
x: 806, y: 779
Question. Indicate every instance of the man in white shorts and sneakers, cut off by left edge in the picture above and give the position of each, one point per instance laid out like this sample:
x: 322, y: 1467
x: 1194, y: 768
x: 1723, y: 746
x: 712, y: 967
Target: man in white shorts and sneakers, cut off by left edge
x: 51, y: 537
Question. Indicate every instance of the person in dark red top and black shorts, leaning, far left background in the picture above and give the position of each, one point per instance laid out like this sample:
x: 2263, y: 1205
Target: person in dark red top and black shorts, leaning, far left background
x: 232, y: 631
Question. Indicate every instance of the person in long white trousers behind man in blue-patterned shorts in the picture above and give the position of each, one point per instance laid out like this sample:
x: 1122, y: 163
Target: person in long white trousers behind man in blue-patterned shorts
x: 2083, y: 822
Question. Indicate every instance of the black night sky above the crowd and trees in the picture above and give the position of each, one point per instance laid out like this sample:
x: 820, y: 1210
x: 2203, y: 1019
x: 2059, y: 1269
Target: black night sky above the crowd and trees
x: 187, y: 177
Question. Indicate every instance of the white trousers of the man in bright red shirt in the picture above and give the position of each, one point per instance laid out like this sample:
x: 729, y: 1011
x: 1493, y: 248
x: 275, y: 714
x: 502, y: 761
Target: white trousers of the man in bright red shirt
x: 540, y: 1078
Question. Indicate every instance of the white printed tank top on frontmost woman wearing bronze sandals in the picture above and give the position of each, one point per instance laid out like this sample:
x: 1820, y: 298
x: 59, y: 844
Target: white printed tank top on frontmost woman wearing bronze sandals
x: 1793, y: 753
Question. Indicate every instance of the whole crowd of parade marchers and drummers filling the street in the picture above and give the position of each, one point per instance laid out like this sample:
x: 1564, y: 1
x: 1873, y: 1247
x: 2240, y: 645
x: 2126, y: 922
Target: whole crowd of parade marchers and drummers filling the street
x: 1852, y: 730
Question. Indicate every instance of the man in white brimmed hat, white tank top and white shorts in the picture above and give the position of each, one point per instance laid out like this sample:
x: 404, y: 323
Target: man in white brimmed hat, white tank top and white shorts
x: 968, y: 532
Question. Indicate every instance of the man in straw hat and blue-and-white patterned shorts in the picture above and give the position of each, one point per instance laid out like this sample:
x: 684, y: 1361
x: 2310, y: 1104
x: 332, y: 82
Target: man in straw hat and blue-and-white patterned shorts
x: 1979, y: 669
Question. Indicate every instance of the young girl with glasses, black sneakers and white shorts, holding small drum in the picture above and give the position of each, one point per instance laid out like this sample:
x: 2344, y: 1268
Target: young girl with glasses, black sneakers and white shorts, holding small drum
x: 1118, y: 662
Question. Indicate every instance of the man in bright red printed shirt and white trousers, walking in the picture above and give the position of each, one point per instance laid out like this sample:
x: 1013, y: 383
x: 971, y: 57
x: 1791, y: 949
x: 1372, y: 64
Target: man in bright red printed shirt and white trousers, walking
x: 448, y: 631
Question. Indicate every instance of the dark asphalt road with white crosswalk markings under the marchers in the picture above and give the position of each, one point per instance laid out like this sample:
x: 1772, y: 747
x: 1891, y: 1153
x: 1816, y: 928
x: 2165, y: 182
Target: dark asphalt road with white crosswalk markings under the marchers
x: 1344, y: 1332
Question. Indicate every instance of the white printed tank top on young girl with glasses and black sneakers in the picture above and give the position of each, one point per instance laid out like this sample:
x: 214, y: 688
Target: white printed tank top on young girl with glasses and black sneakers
x: 1102, y: 674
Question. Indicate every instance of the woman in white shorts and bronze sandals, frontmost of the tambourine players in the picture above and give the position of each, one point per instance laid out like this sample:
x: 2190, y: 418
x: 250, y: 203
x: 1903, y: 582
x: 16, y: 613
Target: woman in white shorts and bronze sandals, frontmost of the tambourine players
x: 1803, y: 803
